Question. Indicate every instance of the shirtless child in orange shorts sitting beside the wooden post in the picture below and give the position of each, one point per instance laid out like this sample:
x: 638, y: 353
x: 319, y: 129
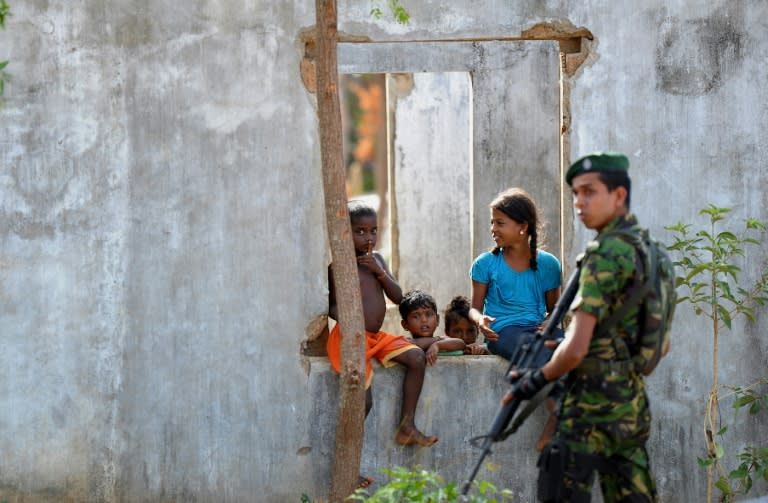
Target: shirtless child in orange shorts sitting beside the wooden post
x: 375, y: 282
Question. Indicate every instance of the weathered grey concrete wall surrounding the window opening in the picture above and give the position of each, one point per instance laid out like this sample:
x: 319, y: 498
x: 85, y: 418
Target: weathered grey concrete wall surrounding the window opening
x: 163, y: 252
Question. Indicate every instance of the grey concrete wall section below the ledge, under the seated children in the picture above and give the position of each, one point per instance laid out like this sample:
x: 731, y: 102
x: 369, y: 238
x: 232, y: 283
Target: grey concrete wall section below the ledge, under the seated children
x: 460, y: 400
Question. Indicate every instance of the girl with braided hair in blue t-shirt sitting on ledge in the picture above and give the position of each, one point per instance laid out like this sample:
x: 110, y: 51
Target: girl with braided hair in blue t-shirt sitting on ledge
x: 515, y: 286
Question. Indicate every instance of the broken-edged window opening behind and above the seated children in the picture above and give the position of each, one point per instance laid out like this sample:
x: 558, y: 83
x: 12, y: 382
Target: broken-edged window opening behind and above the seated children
x: 517, y: 136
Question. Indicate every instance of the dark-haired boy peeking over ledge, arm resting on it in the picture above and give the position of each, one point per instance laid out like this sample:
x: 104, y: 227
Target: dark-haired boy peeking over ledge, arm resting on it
x: 419, y: 317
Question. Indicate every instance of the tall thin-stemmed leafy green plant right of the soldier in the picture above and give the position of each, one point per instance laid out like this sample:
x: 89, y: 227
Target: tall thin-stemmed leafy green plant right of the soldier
x: 710, y: 279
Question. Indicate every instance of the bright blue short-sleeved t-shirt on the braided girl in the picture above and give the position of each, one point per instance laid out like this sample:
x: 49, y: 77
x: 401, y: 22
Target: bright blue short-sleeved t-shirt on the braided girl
x: 516, y: 298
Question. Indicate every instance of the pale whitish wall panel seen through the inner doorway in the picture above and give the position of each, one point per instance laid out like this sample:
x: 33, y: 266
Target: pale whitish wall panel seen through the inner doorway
x: 433, y: 155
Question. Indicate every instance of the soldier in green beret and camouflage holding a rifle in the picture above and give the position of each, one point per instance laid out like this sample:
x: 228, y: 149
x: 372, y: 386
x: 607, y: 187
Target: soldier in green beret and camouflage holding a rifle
x: 604, y: 420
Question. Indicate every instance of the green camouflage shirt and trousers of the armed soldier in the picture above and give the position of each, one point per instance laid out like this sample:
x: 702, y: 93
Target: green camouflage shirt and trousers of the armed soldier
x: 604, y: 417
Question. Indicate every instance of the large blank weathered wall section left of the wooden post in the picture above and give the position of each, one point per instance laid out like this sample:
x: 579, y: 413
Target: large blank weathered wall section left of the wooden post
x: 160, y: 258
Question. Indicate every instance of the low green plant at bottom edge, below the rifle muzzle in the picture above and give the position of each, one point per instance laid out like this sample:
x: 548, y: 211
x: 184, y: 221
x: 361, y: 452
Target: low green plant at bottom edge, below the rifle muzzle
x: 423, y: 486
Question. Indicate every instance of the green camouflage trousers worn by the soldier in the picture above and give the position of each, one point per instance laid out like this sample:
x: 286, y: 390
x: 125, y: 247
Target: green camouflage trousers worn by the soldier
x: 605, y: 422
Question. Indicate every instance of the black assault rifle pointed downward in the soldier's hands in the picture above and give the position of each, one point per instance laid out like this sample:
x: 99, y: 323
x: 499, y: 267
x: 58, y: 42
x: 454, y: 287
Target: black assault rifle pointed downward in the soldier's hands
x: 522, y: 359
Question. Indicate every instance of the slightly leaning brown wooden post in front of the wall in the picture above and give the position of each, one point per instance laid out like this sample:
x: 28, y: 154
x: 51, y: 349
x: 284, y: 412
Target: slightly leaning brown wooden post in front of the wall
x: 349, y: 425
